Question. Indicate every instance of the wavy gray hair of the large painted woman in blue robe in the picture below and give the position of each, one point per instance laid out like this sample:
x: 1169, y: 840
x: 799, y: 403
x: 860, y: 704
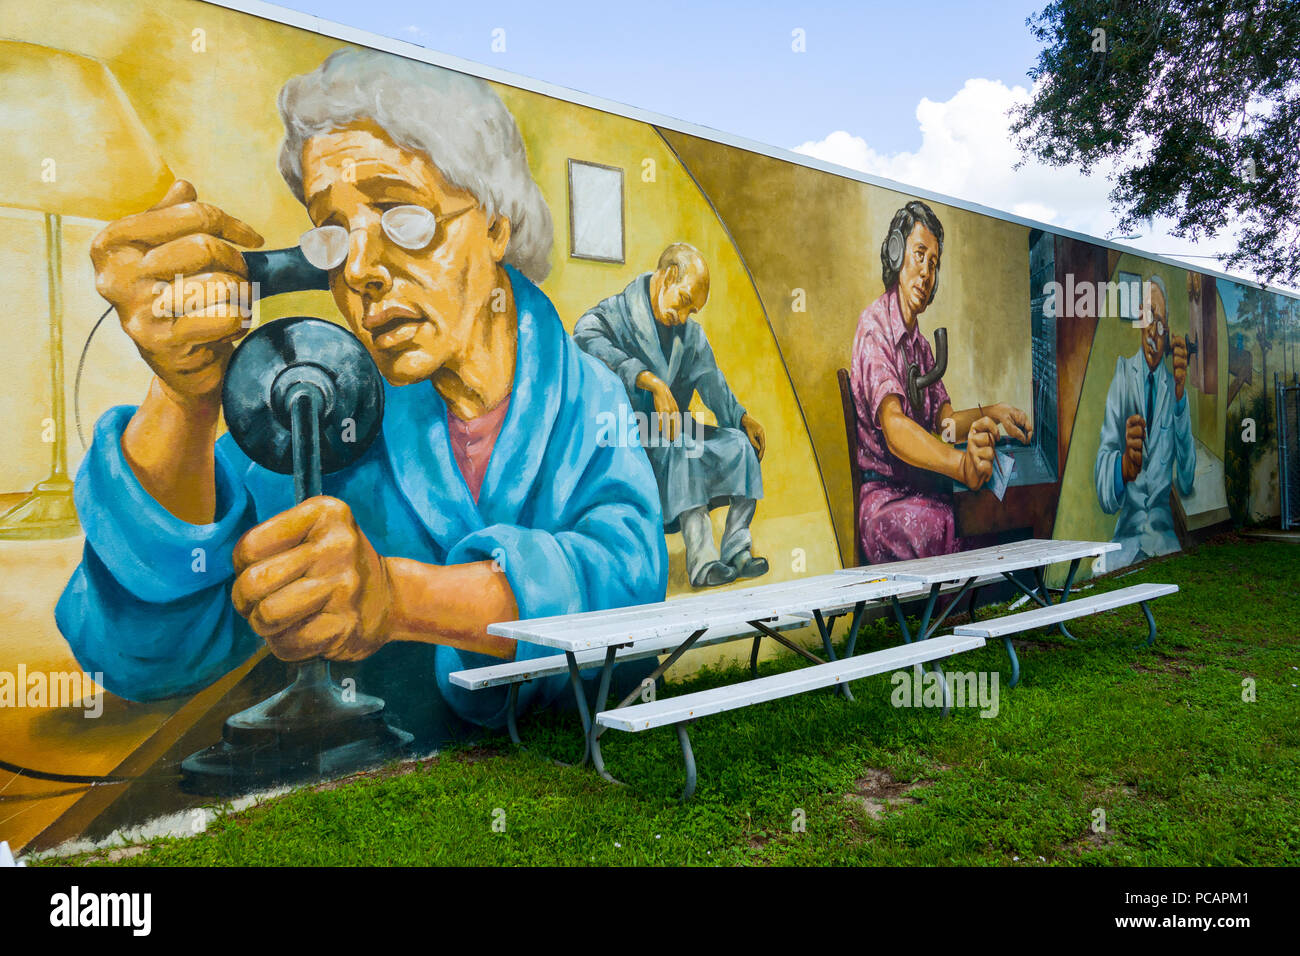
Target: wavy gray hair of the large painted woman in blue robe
x: 457, y: 120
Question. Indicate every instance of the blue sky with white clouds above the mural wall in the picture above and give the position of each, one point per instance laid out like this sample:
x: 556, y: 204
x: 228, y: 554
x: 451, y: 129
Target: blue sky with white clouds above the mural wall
x: 915, y: 93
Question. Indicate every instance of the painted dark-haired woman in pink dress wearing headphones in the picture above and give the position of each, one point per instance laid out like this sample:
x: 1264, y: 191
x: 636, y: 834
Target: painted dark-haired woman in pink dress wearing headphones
x: 905, y: 452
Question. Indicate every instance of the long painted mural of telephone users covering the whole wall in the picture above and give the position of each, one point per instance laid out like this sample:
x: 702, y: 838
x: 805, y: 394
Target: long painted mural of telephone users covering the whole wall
x: 326, y: 358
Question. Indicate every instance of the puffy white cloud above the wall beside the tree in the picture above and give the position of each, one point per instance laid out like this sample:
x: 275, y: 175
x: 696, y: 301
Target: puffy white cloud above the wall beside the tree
x: 968, y: 152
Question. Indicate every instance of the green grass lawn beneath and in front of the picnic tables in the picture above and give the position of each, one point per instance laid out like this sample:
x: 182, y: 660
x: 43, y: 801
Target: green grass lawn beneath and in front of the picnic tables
x: 1160, y: 739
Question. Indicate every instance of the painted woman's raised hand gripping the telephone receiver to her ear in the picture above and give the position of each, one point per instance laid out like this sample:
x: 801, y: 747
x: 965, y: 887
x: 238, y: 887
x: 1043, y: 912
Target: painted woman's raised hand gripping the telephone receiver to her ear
x: 175, y: 280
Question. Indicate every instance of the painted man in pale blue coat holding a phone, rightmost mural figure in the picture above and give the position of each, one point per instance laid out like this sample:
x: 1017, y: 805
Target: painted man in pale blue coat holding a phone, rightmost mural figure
x: 1147, y: 438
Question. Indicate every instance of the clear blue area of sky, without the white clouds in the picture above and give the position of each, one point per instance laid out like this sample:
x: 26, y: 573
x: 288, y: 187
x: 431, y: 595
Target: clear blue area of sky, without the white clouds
x: 730, y: 66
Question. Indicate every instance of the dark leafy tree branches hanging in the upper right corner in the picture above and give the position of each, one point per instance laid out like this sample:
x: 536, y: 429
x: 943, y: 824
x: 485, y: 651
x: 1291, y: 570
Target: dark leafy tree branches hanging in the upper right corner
x: 1195, y: 105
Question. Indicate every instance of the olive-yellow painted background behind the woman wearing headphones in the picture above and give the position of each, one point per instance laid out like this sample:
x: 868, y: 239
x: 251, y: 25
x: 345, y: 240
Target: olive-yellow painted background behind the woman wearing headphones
x: 803, y: 230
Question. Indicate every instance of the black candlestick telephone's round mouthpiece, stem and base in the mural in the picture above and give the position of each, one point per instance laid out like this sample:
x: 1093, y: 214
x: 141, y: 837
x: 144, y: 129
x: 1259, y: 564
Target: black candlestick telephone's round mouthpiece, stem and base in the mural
x: 301, y: 397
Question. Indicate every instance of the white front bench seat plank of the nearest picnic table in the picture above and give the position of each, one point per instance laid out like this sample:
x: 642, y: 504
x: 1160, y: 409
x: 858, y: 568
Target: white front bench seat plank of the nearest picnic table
x: 660, y: 713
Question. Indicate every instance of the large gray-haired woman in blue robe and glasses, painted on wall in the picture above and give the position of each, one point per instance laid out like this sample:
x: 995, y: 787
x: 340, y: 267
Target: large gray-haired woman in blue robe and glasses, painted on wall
x: 487, y: 498
